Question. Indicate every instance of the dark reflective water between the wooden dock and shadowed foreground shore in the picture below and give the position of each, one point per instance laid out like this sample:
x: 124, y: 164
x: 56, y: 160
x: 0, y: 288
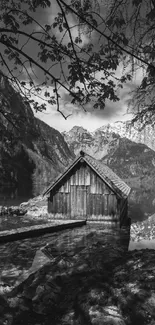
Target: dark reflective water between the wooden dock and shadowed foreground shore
x: 61, y: 247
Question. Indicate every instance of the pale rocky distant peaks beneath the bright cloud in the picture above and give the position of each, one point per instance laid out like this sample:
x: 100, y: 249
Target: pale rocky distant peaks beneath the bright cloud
x: 100, y: 141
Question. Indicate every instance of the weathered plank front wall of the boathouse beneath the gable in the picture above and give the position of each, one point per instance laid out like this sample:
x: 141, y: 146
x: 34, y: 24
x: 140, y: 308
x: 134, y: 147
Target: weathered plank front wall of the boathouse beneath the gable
x: 83, y: 195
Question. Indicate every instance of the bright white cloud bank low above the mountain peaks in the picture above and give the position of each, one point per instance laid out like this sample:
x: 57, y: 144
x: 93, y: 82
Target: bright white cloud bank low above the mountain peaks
x: 89, y: 120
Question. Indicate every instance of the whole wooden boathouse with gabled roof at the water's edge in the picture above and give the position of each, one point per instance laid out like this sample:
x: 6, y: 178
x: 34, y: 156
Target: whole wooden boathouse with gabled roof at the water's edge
x: 88, y: 189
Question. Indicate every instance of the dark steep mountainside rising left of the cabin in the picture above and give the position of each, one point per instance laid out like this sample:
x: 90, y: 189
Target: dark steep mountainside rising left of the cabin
x: 32, y: 153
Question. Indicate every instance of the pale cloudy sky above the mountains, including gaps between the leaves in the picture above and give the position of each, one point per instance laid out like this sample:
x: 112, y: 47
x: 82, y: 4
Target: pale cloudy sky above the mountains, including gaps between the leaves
x: 92, y: 118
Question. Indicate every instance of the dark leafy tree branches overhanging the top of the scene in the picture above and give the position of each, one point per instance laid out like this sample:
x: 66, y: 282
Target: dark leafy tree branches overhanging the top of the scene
x: 80, y: 51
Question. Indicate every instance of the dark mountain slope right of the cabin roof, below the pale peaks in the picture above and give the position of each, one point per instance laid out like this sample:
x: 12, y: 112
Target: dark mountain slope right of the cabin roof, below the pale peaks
x: 135, y: 164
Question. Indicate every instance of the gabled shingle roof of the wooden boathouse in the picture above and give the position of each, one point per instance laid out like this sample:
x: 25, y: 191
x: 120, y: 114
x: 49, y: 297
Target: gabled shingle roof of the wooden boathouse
x: 102, y: 170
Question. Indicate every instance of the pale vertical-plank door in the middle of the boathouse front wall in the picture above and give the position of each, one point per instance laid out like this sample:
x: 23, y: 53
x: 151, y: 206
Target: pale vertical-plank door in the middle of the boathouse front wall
x: 78, y: 201
